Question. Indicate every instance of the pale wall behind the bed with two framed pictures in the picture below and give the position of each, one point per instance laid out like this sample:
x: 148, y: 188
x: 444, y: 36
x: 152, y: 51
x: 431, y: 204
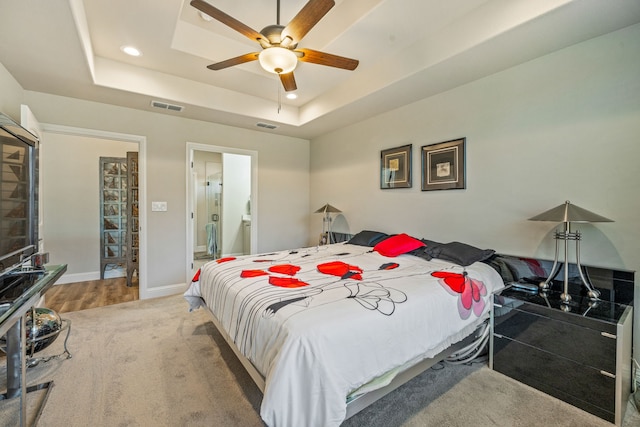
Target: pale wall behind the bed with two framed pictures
x: 564, y: 126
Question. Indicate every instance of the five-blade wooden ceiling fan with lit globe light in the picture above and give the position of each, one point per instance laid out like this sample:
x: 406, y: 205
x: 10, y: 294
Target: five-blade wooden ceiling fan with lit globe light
x: 280, y: 54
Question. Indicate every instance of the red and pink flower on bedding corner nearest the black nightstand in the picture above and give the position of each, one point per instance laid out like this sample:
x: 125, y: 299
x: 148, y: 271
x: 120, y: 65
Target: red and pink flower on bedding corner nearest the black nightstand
x: 470, y: 290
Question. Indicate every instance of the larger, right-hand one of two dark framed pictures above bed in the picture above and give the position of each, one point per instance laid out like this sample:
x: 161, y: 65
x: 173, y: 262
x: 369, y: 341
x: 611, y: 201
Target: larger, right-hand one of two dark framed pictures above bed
x: 443, y: 165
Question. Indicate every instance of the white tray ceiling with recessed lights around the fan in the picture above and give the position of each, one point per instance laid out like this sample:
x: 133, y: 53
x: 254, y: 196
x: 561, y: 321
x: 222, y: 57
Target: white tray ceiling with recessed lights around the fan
x: 408, y: 50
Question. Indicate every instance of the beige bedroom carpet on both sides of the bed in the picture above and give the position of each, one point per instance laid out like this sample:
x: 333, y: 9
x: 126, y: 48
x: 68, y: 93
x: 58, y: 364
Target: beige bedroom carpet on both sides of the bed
x: 152, y: 363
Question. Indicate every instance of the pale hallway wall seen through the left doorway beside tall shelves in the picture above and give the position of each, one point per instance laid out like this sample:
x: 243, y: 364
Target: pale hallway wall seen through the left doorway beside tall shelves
x: 71, y: 199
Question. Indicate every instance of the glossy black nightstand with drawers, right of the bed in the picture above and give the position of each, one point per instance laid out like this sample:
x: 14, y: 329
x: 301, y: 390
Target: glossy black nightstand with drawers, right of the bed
x: 578, y: 352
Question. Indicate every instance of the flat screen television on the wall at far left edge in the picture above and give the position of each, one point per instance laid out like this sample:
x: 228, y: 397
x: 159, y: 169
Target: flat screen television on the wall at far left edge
x: 18, y: 195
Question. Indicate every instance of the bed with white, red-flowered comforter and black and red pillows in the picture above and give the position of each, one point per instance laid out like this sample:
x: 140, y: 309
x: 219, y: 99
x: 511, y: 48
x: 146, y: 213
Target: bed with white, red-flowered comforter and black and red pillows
x: 324, y: 331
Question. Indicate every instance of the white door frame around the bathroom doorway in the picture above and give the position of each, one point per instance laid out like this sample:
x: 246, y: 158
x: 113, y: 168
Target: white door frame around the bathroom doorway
x: 190, y: 148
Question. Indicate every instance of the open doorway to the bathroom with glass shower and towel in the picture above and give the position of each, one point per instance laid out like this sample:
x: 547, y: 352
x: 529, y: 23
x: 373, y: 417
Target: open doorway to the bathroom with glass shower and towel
x: 221, y: 203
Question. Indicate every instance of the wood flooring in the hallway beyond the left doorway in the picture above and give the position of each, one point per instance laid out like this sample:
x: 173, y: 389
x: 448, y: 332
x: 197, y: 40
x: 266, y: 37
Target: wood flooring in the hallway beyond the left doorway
x: 95, y: 293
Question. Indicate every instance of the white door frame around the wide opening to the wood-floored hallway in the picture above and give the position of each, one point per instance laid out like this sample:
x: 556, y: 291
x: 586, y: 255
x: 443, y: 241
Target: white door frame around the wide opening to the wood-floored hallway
x: 142, y: 185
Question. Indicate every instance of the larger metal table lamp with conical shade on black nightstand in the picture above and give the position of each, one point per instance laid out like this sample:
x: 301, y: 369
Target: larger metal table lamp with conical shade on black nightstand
x: 568, y: 213
